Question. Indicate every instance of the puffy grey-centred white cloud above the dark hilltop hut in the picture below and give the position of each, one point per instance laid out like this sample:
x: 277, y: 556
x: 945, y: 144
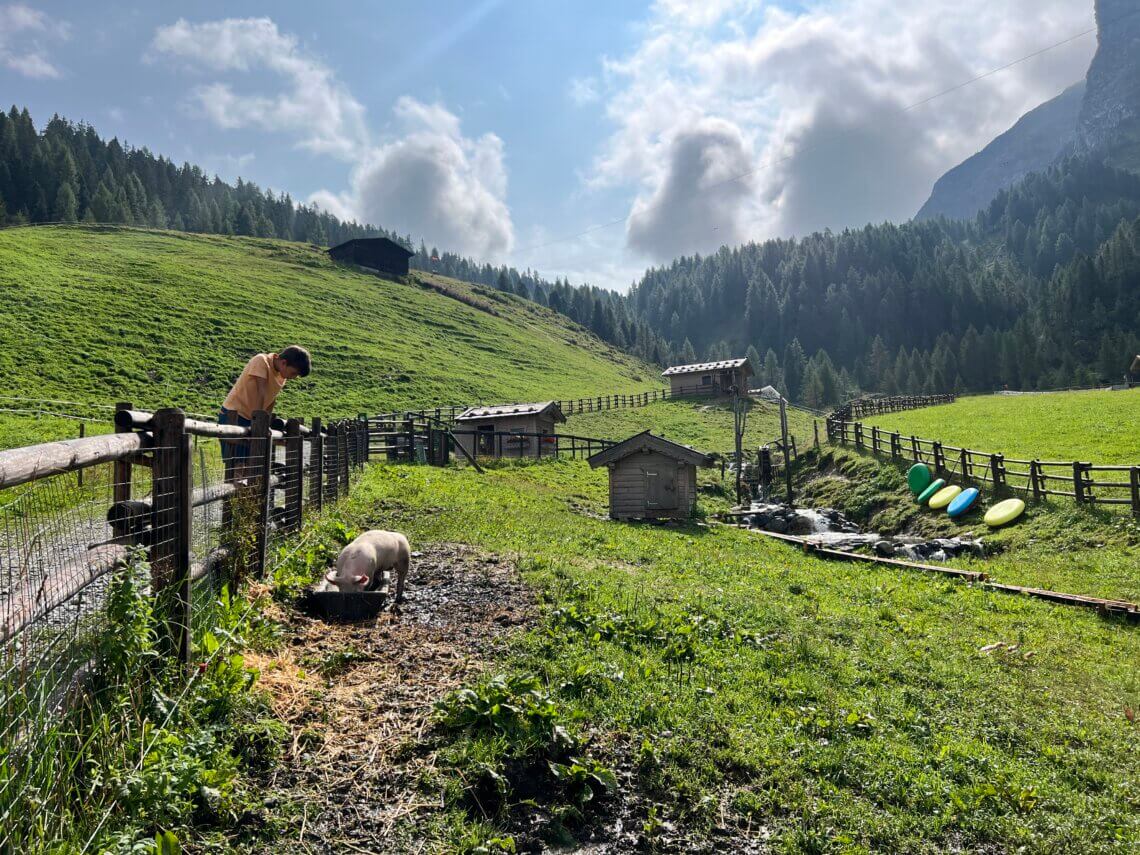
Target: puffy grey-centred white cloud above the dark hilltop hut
x: 433, y: 183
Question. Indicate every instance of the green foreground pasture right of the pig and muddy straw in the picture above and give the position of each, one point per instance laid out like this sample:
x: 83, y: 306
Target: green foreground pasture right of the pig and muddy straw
x: 748, y: 693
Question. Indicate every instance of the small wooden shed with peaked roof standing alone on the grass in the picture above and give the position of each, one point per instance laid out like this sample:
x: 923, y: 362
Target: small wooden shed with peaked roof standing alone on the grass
x: 652, y: 478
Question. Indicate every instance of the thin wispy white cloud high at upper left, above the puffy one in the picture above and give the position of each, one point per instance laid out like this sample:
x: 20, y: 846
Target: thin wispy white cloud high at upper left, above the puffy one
x: 316, y: 108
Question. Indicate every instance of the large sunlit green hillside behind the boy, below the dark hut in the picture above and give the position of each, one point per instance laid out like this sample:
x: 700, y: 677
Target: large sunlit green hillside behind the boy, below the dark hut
x: 166, y: 319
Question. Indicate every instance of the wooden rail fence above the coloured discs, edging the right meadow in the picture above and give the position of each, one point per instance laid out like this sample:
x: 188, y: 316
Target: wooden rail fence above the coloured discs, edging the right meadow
x: 1082, y: 482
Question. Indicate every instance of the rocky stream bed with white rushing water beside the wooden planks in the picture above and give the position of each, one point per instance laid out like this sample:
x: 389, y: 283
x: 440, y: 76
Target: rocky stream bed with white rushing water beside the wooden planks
x: 828, y: 527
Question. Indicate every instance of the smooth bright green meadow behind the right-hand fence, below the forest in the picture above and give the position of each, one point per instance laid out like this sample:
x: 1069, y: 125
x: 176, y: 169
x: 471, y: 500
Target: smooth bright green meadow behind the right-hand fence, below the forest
x: 1094, y: 427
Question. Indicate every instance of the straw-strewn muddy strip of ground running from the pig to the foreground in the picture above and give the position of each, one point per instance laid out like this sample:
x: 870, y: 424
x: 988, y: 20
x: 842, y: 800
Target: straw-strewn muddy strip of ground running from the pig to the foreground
x: 359, y: 698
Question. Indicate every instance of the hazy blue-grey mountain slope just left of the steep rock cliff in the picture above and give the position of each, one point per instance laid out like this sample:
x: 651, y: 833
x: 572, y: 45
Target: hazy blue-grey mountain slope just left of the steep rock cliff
x: 1030, y: 146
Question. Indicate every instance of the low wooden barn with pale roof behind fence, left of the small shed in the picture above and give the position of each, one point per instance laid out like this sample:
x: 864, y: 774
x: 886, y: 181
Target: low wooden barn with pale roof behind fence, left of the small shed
x: 509, y: 430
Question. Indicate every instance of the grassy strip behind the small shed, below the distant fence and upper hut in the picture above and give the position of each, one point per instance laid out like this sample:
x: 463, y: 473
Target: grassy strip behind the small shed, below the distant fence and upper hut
x: 707, y: 426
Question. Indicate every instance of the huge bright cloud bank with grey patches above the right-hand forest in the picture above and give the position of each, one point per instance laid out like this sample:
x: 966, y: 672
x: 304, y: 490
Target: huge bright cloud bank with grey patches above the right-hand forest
x: 815, y: 104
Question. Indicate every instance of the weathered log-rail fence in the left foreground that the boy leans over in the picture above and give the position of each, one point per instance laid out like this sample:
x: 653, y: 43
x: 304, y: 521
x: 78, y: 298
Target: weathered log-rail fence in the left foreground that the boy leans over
x: 316, y: 467
